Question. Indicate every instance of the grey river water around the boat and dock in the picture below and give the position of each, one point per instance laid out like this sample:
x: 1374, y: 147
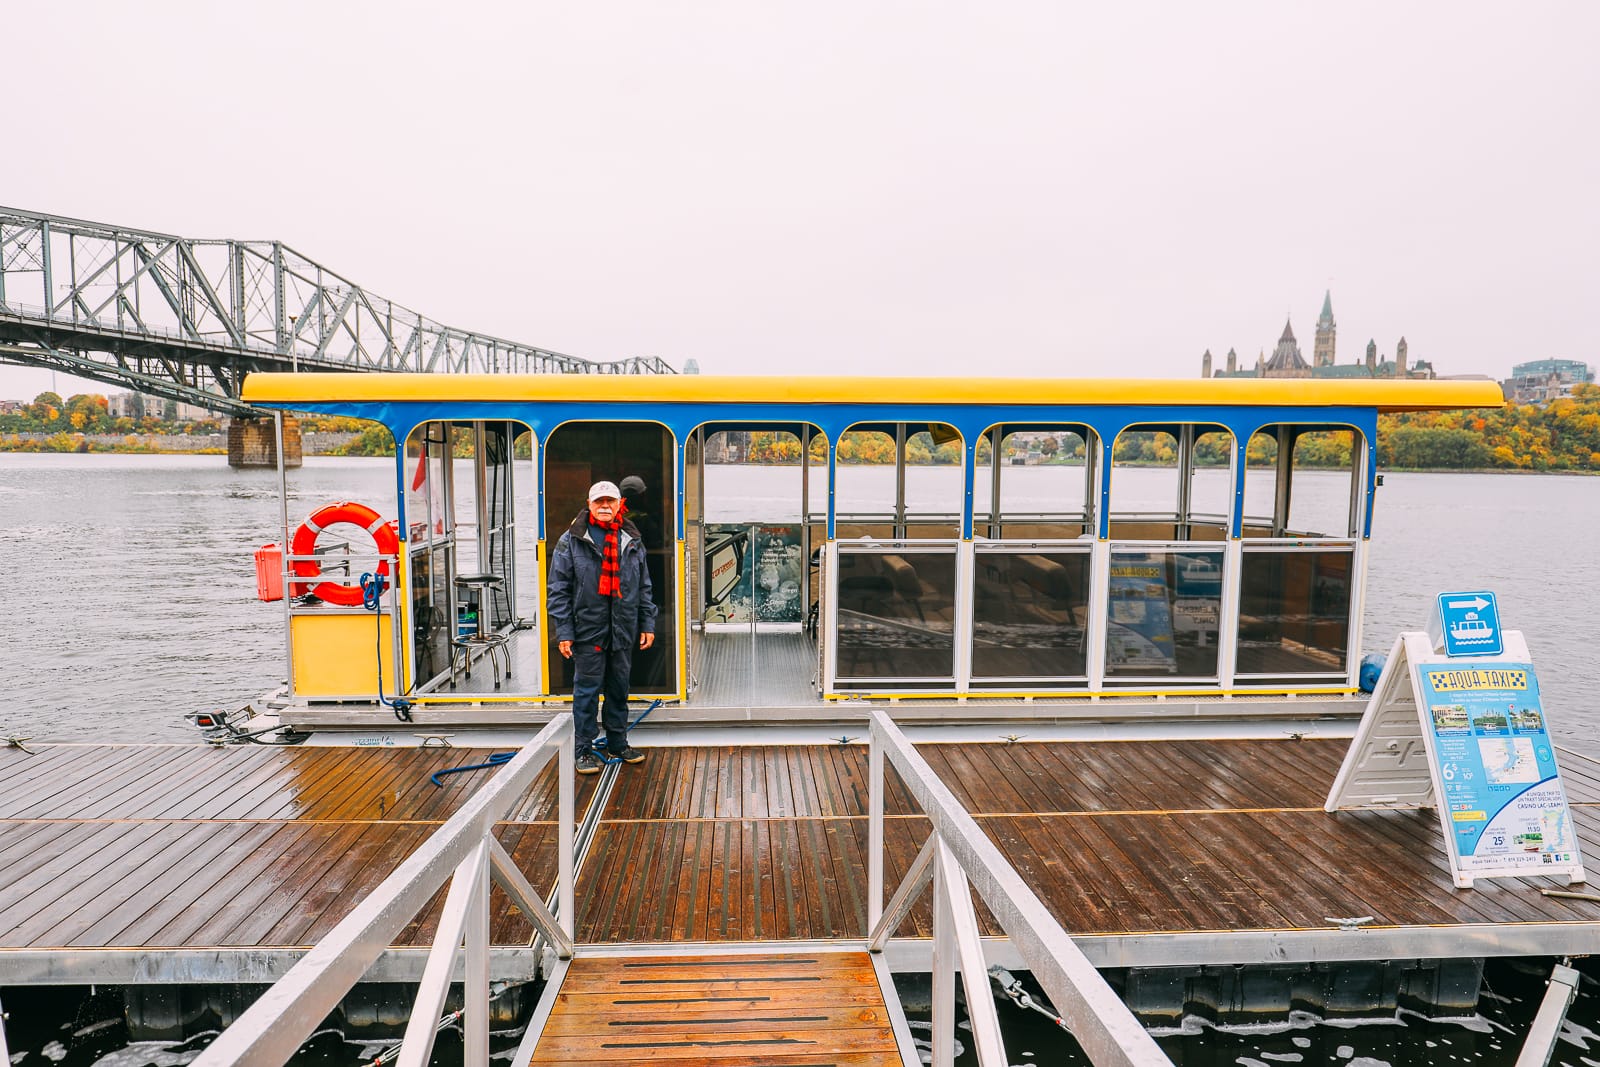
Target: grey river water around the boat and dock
x: 134, y: 604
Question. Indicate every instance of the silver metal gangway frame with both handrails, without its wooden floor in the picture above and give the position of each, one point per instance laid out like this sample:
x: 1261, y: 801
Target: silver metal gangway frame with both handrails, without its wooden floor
x: 956, y: 858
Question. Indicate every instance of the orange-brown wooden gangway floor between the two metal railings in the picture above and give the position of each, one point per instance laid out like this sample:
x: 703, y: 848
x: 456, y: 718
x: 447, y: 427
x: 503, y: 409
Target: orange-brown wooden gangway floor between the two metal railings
x: 721, y: 1010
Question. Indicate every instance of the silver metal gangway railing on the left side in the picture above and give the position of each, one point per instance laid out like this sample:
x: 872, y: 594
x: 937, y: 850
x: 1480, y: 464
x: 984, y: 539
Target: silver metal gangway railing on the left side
x: 466, y: 855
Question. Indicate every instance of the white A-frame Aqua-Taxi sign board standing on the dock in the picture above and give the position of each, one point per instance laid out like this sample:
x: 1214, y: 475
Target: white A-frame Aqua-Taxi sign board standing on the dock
x: 1468, y: 738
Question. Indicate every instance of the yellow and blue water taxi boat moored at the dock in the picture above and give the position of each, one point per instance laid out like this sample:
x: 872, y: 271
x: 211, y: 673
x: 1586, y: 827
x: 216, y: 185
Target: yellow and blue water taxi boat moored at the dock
x: 935, y: 604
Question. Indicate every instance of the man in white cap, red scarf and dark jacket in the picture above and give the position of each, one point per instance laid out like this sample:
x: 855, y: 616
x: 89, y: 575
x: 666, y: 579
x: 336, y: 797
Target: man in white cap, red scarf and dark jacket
x: 602, y: 607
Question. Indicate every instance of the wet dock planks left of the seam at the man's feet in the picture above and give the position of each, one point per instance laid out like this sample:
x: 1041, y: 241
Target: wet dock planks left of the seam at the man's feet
x: 182, y: 847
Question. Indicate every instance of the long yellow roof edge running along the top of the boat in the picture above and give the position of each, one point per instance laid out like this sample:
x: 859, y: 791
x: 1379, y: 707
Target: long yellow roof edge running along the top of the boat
x: 1383, y: 394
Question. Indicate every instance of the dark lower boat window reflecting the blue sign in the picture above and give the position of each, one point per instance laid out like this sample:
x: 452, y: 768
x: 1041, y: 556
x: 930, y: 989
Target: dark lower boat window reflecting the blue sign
x: 1164, y: 612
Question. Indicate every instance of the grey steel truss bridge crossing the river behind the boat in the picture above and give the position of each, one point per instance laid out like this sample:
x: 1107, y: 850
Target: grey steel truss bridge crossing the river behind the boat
x: 188, y: 319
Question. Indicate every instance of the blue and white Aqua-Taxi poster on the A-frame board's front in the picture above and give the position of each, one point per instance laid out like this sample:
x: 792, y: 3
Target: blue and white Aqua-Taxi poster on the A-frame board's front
x: 1502, y: 797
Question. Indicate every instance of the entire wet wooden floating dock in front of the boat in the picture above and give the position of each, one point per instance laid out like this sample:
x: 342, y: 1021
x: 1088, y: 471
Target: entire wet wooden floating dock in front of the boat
x: 183, y: 863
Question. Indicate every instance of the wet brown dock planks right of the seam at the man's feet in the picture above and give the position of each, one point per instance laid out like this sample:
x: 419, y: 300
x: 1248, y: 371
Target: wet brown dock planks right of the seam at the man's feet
x: 1116, y: 837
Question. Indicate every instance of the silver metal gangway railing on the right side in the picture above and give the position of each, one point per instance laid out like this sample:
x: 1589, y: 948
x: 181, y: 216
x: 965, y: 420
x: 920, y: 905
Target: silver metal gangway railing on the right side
x: 958, y: 858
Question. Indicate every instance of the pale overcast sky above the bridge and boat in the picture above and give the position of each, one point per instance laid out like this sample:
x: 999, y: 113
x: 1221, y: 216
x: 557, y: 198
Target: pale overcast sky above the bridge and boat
x: 1065, y: 190
